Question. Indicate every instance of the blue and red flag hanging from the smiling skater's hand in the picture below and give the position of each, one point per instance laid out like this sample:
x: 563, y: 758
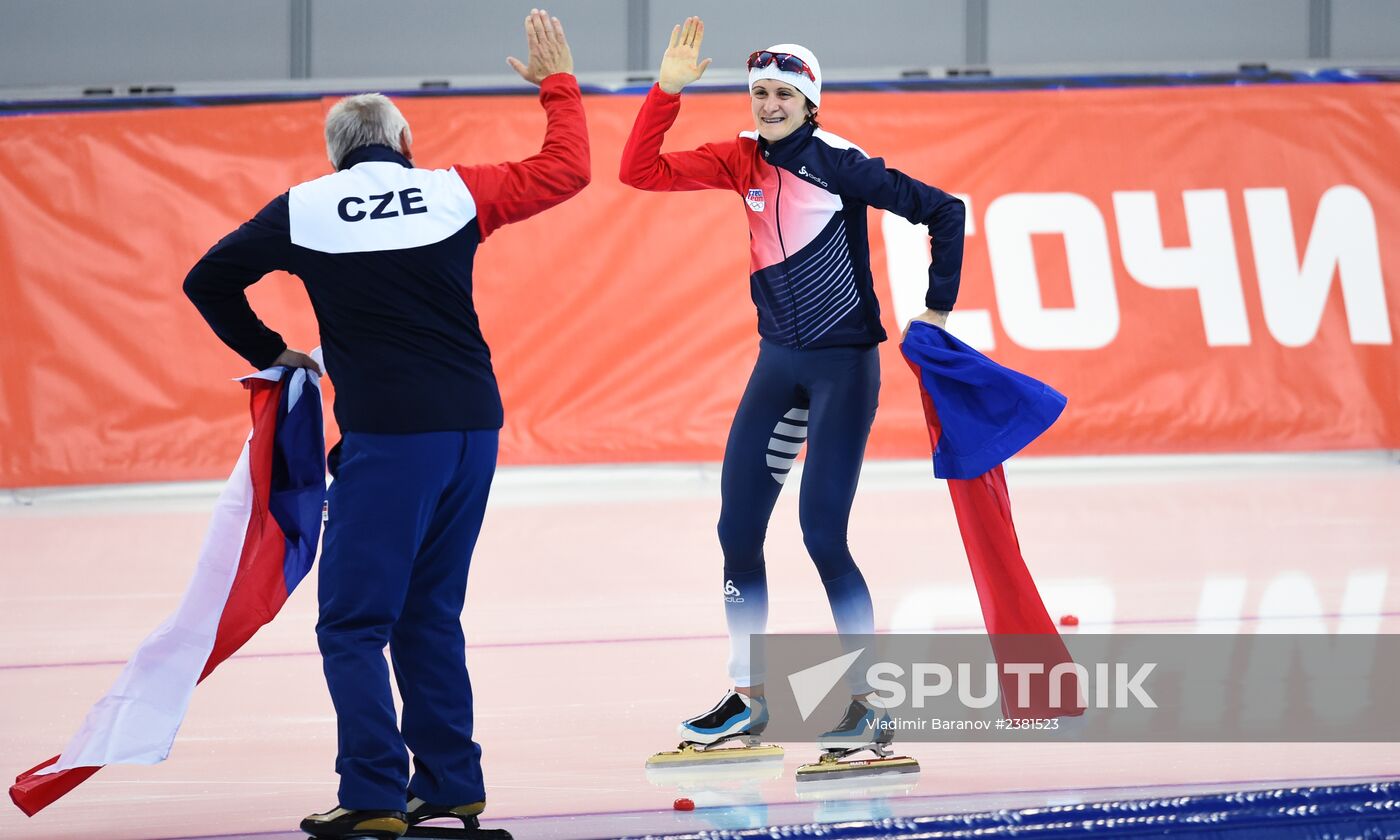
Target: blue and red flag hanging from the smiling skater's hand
x: 979, y: 415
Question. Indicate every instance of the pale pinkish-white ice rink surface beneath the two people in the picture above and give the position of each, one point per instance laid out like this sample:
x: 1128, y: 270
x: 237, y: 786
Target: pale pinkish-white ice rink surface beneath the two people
x: 596, y: 622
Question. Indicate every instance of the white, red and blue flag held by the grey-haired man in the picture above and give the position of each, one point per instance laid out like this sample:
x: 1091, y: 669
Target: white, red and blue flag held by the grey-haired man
x: 261, y: 542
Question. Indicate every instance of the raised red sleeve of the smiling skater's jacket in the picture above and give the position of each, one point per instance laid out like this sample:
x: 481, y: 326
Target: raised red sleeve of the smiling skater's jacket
x: 645, y: 167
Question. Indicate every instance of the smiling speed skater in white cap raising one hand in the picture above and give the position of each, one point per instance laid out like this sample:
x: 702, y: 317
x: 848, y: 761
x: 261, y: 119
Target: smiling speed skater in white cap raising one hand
x: 817, y: 380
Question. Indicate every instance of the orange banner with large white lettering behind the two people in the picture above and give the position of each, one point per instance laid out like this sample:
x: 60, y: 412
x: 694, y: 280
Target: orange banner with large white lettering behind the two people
x: 1199, y: 269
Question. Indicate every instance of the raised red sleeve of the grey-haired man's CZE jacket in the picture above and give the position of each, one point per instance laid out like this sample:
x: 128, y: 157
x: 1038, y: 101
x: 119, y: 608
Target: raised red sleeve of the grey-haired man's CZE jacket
x: 517, y: 191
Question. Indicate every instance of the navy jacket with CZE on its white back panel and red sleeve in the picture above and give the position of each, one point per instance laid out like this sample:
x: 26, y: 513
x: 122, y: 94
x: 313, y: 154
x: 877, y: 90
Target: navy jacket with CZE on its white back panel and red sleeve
x: 386, y: 253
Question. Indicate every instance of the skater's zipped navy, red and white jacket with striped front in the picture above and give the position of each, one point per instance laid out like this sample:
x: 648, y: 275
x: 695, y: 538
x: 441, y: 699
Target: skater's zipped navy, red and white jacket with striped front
x: 806, y: 198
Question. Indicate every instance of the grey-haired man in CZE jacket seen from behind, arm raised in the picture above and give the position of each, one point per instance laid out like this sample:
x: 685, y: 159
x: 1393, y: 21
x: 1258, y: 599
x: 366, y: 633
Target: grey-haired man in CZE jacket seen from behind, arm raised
x: 386, y: 253
